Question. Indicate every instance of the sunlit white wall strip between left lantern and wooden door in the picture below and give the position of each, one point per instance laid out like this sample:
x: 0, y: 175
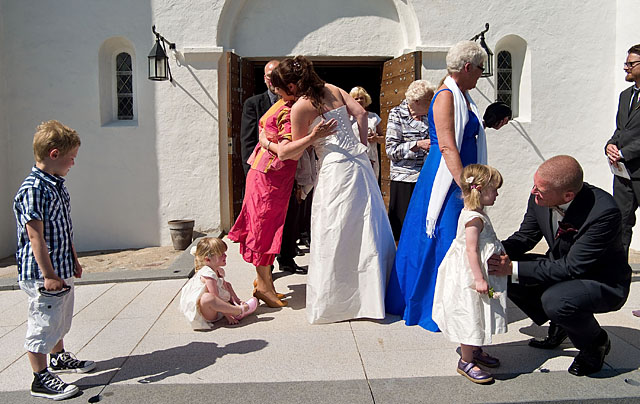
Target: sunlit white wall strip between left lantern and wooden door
x: 193, y: 154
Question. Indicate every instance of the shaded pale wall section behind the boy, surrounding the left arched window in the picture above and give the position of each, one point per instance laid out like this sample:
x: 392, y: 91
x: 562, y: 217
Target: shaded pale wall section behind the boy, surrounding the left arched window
x: 113, y: 186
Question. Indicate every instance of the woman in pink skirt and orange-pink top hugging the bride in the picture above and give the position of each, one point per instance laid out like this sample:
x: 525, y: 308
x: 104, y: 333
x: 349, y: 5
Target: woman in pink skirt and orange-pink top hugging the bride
x: 259, y: 226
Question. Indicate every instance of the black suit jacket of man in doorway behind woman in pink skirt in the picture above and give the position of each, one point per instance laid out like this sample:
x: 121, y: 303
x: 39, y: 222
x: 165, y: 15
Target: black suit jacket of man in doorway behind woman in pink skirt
x: 252, y: 110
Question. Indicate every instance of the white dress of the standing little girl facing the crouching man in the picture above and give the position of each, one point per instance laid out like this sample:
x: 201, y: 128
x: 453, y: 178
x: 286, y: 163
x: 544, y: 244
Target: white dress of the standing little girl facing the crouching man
x: 464, y: 315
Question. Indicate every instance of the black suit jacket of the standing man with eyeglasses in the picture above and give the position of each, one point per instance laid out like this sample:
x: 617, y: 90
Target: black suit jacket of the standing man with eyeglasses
x: 627, y: 134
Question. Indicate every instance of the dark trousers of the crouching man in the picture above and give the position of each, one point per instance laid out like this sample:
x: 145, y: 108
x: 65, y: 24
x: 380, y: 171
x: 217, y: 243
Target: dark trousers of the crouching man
x: 570, y: 304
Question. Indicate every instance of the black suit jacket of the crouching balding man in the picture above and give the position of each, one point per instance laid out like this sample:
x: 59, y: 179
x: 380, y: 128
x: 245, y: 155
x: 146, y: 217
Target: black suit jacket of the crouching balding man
x: 593, y: 250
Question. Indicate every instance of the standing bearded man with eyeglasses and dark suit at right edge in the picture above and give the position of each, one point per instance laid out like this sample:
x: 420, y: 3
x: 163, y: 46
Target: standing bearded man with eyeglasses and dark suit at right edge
x: 624, y: 146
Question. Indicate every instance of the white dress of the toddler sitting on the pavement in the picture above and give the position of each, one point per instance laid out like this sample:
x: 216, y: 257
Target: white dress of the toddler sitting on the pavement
x: 191, y: 293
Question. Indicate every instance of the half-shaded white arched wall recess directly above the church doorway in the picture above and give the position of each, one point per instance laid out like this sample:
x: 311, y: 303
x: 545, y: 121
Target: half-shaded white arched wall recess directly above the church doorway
x: 323, y: 28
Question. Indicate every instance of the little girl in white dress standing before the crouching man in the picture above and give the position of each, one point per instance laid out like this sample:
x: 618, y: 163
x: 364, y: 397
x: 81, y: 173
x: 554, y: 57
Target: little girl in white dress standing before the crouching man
x: 469, y: 304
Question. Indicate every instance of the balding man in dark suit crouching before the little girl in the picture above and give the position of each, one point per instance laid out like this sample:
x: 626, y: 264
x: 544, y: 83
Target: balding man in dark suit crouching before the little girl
x: 585, y: 270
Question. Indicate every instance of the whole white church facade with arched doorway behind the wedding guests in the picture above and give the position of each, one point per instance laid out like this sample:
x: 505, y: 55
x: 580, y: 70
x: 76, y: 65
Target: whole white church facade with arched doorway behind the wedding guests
x: 154, y: 151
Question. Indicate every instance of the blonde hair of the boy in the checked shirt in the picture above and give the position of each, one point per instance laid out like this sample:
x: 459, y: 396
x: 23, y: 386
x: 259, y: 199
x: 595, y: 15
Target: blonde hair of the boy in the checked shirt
x: 53, y: 135
